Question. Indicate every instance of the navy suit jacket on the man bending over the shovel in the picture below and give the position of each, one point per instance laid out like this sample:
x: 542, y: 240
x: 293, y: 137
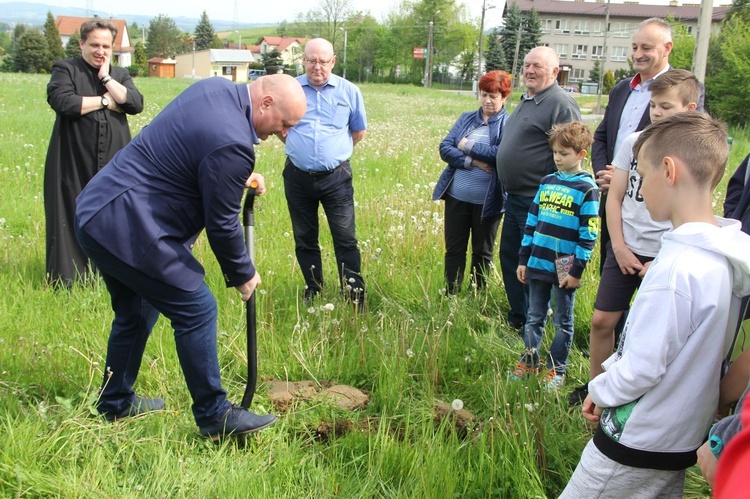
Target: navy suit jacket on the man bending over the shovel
x: 184, y: 172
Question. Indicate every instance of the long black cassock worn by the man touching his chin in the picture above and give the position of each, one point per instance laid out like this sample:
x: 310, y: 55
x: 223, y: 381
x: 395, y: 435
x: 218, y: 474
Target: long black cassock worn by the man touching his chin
x: 80, y: 146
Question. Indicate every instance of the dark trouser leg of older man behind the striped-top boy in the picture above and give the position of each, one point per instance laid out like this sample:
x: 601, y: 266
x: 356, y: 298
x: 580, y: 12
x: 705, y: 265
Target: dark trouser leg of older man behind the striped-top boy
x: 516, y: 211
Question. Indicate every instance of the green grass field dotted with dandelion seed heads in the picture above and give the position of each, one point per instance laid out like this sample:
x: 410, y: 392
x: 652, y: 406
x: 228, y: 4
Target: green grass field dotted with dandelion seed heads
x: 413, y: 349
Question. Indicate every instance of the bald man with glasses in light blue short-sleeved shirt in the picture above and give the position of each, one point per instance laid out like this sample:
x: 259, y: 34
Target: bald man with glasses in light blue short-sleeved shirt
x: 318, y: 172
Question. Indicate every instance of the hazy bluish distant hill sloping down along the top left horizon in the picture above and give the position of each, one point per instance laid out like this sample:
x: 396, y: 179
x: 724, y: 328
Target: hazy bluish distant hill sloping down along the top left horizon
x: 35, y: 14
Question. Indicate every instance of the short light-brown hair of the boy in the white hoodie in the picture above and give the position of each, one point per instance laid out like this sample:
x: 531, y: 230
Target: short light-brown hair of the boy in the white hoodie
x: 696, y: 139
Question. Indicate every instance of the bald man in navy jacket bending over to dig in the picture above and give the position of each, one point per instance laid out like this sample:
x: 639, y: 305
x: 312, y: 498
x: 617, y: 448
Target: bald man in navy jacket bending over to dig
x: 137, y: 221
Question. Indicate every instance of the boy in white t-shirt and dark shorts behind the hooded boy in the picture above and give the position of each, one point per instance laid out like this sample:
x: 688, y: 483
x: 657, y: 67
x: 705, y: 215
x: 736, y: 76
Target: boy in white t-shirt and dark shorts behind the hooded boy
x: 635, y: 238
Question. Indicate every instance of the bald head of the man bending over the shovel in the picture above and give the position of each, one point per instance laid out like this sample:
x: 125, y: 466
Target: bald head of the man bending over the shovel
x: 278, y: 104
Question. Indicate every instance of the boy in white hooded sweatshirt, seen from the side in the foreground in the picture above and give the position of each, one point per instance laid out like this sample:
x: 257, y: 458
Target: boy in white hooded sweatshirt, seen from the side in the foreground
x: 659, y: 392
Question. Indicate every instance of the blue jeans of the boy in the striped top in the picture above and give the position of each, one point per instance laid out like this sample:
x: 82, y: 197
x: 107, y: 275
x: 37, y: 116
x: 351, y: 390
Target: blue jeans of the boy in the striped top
x: 539, y: 298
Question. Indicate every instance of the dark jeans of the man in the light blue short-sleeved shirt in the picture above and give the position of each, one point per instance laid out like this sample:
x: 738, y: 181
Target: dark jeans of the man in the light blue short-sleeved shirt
x: 304, y: 194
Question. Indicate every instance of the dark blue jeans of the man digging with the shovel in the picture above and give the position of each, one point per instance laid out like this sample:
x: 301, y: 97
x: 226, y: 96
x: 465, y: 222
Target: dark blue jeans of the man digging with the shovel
x: 137, y: 300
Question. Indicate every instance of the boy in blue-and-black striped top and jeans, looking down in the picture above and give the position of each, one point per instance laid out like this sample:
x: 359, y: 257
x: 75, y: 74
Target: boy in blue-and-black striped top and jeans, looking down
x: 561, y: 230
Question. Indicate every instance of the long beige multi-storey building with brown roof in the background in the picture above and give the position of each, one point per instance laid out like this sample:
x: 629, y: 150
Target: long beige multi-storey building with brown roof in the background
x: 576, y: 30
